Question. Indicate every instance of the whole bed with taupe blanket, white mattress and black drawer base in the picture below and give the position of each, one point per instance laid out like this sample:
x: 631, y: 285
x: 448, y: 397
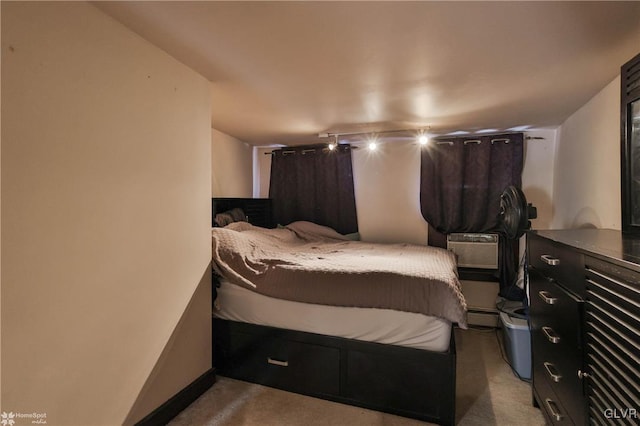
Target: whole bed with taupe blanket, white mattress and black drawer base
x: 326, y: 326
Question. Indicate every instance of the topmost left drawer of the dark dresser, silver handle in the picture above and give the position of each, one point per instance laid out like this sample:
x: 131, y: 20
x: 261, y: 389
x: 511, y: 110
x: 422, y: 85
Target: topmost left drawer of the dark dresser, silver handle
x: 557, y: 262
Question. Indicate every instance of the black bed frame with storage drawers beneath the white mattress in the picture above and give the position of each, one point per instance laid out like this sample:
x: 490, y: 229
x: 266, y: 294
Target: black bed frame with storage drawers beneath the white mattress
x: 399, y: 380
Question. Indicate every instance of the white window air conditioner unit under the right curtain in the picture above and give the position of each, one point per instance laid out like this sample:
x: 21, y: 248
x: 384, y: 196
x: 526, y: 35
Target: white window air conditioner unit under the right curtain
x: 474, y: 250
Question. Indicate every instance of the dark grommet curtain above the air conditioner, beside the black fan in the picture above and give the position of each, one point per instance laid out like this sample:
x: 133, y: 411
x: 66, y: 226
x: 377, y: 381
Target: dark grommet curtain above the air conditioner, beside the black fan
x: 461, y: 180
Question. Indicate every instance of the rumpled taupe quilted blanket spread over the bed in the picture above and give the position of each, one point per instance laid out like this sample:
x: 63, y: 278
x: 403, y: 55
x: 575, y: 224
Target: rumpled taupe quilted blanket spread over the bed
x: 305, y: 262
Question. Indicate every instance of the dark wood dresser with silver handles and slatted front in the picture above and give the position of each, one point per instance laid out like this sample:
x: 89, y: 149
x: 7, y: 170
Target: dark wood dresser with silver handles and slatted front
x: 585, y: 325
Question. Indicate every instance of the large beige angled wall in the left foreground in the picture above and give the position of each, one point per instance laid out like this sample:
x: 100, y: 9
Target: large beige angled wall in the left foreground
x: 106, y: 175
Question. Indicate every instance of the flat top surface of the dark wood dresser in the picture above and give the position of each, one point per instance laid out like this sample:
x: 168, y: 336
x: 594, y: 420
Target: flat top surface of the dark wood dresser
x: 607, y: 243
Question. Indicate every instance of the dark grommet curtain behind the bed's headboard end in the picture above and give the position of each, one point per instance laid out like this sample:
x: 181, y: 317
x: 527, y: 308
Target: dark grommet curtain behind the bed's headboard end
x: 315, y: 184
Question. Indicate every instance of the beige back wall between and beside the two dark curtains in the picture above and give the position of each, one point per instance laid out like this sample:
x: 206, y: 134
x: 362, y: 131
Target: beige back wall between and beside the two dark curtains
x: 387, y: 187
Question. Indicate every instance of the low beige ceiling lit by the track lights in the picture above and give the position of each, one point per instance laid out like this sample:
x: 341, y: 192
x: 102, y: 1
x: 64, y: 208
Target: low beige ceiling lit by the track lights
x: 284, y: 72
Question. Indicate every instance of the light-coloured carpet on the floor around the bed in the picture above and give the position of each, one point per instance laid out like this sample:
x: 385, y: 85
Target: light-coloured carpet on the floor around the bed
x: 487, y: 393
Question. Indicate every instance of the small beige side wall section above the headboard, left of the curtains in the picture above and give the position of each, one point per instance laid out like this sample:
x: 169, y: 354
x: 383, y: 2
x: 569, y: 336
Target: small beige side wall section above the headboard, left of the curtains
x: 231, y: 166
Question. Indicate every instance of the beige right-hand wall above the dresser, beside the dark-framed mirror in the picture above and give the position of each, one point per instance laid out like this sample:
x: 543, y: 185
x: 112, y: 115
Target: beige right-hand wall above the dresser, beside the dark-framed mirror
x: 587, y: 167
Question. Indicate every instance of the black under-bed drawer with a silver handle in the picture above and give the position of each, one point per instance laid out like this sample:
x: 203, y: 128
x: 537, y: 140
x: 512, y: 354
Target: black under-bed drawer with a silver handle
x: 281, y: 363
